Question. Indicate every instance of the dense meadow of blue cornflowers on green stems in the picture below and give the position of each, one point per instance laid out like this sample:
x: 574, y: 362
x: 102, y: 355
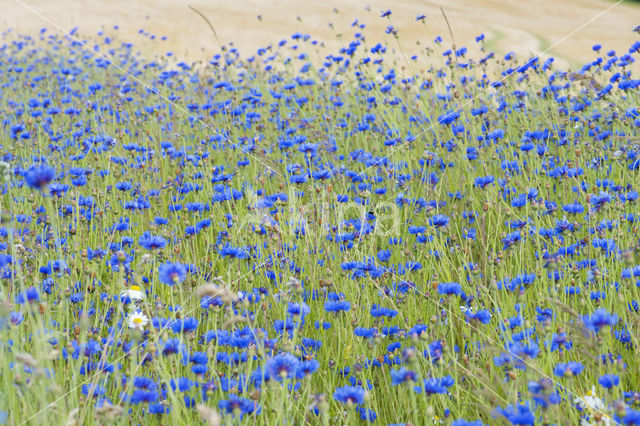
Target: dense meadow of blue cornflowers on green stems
x: 306, y: 237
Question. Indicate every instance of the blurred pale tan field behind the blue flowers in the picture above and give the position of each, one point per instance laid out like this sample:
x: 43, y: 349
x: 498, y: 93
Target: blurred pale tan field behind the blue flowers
x: 526, y: 27
